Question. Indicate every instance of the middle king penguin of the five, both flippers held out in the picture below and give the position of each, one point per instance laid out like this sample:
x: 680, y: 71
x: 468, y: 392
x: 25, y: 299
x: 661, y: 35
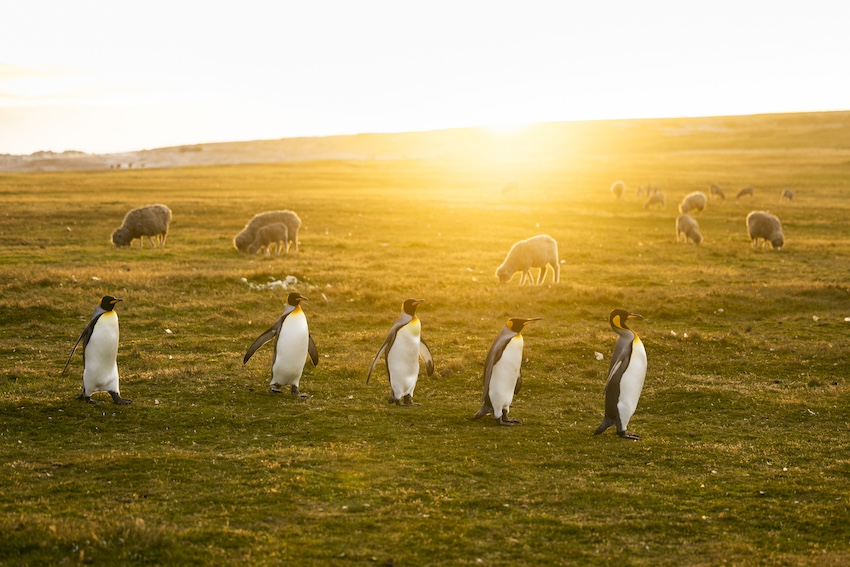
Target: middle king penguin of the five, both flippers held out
x: 402, y: 350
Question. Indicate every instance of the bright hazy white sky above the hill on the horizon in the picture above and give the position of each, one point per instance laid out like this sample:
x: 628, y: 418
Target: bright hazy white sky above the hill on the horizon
x: 107, y: 76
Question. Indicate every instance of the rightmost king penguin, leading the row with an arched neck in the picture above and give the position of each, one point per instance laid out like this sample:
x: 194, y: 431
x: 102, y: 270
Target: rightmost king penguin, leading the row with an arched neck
x: 626, y: 374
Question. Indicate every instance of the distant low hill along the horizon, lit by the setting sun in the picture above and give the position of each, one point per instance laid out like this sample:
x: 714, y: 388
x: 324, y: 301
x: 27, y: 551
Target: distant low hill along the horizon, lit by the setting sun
x: 541, y: 142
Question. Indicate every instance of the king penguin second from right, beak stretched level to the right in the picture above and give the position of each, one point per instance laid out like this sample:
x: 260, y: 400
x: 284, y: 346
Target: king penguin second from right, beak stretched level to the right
x: 502, y: 376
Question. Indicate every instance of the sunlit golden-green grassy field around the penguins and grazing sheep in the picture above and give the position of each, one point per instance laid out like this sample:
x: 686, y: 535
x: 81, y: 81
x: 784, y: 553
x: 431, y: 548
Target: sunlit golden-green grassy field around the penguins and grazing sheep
x: 745, y: 415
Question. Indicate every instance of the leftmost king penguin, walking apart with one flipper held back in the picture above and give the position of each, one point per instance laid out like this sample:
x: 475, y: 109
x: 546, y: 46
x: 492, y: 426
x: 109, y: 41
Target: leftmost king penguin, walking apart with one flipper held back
x: 100, y: 352
